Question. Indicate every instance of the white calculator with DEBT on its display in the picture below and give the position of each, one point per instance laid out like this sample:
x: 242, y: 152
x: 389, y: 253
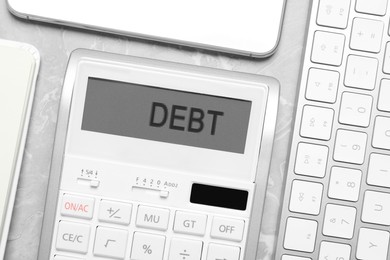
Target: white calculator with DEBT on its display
x: 156, y: 160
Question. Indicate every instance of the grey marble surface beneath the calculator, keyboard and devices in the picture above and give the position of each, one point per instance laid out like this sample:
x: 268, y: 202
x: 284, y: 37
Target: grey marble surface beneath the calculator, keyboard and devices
x: 55, y: 45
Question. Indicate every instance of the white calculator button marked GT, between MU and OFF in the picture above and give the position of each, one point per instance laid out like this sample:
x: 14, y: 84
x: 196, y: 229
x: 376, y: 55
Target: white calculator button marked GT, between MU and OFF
x: 190, y: 223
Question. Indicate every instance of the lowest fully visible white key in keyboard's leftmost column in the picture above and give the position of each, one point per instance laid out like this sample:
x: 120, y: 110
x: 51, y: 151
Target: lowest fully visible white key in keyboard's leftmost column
x: 300, y: 234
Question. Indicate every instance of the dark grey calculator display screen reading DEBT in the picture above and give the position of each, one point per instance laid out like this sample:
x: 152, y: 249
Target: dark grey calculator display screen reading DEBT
x: 165, y: 115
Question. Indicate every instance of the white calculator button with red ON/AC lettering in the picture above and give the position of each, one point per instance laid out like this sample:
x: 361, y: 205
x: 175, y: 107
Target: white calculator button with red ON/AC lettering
x: 77, y: 206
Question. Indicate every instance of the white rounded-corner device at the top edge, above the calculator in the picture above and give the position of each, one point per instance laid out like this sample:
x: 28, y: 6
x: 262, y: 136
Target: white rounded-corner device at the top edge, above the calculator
x: 245, y: 27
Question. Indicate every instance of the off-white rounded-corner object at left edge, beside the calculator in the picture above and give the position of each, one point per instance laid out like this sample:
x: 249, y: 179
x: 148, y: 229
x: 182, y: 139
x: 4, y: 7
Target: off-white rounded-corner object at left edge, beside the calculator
x: 19, y: 63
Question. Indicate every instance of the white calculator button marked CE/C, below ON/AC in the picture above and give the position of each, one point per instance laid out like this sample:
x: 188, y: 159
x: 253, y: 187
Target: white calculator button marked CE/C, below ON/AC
x: 73, y: 237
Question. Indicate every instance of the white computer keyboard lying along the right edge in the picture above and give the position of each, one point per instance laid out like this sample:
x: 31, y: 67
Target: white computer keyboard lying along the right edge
x: 337, y: 194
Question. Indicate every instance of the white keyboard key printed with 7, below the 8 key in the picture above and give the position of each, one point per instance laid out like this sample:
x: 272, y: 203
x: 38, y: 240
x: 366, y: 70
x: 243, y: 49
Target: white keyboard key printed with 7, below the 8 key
x: 339, y: 221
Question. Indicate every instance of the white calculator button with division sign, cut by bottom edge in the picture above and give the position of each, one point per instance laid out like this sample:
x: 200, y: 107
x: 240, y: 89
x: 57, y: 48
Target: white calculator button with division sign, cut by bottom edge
x: 184, y: 249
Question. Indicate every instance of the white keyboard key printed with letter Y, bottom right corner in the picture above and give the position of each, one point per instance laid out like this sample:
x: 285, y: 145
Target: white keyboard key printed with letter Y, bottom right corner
x: 372, y: 244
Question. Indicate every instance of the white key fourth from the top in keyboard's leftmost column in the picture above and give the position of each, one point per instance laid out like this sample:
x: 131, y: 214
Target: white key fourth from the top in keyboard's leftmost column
x: 317, y: 122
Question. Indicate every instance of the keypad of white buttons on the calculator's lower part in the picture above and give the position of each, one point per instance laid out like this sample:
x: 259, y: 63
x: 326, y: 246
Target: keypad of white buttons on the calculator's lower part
x: 113, y: 229
